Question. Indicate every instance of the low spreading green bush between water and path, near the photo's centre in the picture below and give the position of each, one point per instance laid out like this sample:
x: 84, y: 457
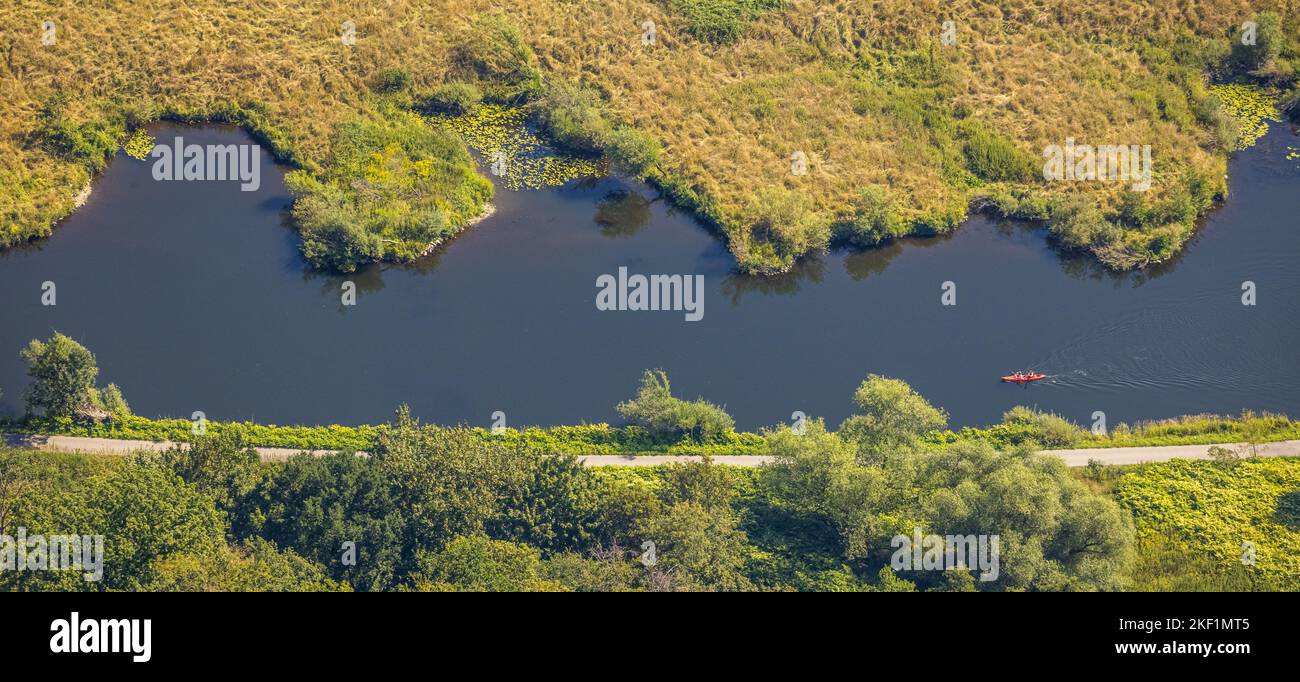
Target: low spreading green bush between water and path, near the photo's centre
x: 669, y: 418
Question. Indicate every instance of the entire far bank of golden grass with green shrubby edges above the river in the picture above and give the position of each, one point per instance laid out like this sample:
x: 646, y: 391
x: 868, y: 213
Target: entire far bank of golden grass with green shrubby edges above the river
x: 902, y: 132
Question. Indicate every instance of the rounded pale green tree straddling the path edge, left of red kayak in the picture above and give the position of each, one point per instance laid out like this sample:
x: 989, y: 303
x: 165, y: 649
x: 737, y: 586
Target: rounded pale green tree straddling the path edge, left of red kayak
x: 894, y: 419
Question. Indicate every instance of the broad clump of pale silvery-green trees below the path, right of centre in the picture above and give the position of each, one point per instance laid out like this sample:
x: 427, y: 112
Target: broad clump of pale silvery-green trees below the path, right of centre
x: 1054, y: 533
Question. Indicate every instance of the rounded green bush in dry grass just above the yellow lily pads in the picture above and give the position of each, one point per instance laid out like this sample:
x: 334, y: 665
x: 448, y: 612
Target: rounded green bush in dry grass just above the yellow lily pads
x: 492, y: 54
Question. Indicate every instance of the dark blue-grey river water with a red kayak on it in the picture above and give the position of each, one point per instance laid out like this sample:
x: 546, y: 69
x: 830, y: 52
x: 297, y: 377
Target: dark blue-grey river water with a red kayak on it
x: 194, y: 298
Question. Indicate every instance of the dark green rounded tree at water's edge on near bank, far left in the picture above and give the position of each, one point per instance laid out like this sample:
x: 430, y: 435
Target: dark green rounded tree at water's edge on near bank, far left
x: 63, y: 376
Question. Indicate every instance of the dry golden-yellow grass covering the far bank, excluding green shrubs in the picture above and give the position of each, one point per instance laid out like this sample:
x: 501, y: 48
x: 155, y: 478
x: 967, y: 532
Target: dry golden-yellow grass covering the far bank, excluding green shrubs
x: 814, y: 77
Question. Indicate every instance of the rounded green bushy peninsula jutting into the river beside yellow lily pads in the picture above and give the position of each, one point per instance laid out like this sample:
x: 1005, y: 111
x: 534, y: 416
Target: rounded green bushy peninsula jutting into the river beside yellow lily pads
x: 395, y: 188
